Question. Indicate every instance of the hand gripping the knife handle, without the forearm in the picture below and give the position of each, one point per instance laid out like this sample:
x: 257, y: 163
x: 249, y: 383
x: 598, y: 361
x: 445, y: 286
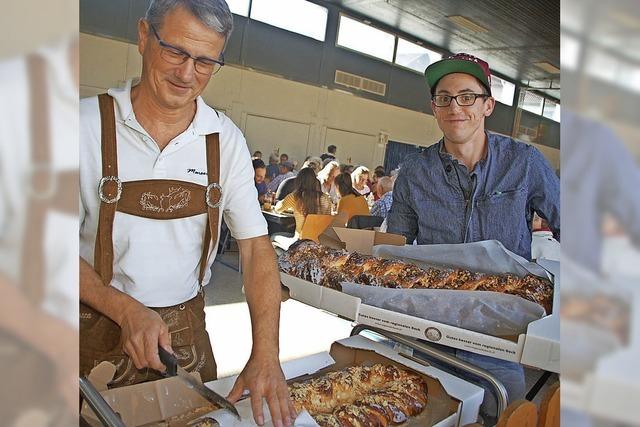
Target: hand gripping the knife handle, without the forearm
x: 142, y: 331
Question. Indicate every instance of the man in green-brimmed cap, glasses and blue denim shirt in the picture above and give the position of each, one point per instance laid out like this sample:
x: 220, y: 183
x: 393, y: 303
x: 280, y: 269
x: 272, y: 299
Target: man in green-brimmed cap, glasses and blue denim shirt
x: 473, y: 185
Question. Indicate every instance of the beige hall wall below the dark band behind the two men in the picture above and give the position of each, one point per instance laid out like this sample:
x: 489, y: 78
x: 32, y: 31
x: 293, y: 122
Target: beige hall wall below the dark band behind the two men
x: 279, y: 114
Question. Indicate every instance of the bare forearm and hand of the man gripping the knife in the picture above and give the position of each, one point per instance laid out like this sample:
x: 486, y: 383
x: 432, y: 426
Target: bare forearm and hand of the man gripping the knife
x: 142, y: 328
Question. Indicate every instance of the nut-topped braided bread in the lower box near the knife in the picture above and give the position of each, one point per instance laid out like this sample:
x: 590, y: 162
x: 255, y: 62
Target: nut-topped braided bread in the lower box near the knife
x: 361, y: 396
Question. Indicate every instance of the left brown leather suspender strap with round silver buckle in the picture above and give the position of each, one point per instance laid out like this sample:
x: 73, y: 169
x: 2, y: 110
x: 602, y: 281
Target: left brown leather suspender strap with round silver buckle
x: 110, y: 190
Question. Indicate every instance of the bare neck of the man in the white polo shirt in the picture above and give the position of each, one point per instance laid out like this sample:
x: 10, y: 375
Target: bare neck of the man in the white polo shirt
x: 161, y: 123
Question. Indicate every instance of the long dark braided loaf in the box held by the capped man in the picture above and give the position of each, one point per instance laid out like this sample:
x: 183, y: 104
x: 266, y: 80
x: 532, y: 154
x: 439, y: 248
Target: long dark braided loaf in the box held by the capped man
x: 328, y: 267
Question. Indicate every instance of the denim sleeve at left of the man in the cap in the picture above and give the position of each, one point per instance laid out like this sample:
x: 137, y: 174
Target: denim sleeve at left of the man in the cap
x: 402, y: 218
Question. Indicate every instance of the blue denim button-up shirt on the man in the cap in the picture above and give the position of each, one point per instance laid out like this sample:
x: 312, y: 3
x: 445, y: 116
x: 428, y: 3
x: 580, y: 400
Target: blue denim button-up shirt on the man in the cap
x: 437, y: 200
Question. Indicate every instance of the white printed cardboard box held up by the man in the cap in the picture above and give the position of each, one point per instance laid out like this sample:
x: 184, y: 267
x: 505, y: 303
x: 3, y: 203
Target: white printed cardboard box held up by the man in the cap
x: 538, y: 347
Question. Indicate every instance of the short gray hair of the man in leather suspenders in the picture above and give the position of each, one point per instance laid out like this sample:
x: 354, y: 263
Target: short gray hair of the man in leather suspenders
x: 215, y: 14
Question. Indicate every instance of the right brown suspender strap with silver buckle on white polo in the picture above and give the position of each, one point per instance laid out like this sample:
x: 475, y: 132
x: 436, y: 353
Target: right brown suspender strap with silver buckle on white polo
x: 213, y: 198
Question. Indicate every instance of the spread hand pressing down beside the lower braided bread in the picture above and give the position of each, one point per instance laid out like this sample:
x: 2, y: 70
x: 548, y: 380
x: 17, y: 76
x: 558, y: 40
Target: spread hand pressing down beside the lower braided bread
x: 263, y: 378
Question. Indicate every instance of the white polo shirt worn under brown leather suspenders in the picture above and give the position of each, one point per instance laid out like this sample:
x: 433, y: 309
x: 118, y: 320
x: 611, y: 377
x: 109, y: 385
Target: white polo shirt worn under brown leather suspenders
x: 157, y: 261
